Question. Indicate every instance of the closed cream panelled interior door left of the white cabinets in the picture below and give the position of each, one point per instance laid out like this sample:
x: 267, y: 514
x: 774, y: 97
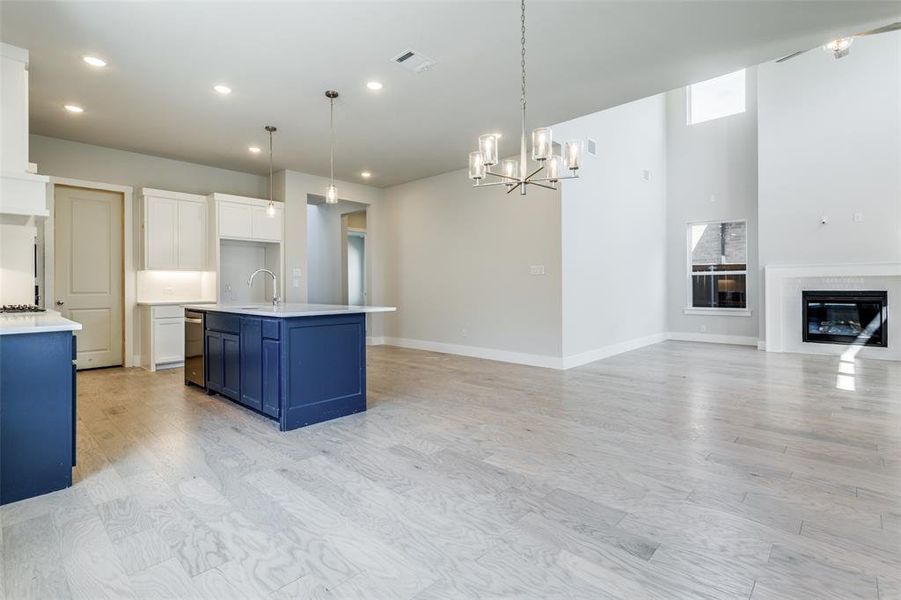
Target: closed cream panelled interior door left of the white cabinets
x: 88, y: 265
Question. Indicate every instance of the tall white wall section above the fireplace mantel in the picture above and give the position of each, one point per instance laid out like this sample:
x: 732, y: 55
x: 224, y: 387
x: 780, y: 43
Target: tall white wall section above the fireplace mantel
x: 830, y: 146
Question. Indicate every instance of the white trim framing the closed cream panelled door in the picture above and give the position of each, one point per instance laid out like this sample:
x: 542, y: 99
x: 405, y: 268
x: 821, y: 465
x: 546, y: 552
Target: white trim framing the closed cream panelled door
x: 129, y: 278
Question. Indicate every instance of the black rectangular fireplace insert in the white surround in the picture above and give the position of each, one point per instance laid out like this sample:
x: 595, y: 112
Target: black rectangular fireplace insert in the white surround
x: 845, y: 317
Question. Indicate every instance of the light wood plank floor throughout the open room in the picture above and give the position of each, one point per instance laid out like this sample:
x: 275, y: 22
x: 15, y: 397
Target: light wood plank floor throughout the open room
x: 676, y: 471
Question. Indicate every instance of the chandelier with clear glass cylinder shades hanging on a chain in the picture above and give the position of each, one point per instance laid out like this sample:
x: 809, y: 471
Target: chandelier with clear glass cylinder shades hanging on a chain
x: 517, y: 173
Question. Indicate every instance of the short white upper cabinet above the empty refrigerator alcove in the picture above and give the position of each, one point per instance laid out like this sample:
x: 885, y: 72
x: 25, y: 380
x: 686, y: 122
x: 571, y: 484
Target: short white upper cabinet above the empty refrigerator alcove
x: 243, y: 218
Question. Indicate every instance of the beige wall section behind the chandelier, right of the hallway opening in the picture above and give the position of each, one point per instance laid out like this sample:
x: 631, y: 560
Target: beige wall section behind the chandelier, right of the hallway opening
x: 458, y: 269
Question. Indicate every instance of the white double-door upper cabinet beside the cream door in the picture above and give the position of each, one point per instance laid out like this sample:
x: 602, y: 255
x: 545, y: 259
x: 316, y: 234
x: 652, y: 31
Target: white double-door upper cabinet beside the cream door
x: 175, y: 231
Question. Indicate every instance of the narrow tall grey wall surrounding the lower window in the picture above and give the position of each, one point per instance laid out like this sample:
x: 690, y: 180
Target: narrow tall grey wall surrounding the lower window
x: 711, y: 176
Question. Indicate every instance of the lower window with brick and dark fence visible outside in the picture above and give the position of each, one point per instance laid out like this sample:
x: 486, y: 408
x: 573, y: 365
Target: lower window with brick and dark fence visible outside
x: 718, y: 265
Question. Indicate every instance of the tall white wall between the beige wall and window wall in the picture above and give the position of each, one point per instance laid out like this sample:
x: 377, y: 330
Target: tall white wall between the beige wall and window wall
x: 613, y: 232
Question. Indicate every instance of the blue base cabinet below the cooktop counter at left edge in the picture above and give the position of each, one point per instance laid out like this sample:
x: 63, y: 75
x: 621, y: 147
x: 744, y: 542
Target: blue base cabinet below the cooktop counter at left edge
x: 37, y: 414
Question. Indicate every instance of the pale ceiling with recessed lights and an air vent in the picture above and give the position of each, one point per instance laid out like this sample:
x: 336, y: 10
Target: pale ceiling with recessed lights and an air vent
x: 156, y: 94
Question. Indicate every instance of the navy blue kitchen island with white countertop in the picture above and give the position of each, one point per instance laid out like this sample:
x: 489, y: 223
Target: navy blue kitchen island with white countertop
x: 297, y: 364
